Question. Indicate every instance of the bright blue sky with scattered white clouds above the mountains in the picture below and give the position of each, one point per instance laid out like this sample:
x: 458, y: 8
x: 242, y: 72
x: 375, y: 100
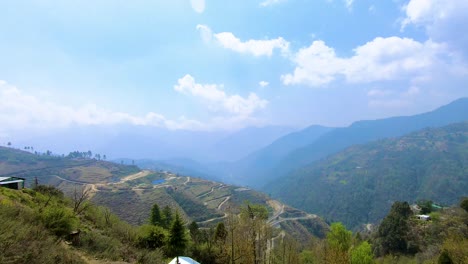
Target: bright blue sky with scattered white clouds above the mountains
x: 224, y: 65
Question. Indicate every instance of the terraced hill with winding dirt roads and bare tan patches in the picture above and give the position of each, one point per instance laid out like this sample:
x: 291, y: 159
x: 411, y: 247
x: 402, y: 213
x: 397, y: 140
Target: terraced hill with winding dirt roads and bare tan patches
x: 130, y: 192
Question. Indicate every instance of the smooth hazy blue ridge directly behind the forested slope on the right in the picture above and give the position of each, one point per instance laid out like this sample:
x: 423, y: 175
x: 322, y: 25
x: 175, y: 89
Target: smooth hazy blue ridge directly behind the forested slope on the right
x: 366, y: 131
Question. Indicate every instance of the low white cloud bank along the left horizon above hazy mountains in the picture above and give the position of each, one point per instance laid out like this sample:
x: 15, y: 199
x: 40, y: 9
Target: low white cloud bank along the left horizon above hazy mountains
x: 20, y: 111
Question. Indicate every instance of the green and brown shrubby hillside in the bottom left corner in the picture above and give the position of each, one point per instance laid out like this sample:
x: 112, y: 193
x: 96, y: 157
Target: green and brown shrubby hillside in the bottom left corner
x: 33, y: 224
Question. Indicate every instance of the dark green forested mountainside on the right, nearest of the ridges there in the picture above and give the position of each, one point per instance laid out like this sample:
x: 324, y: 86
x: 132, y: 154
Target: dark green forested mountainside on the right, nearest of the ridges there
x: 359, y: 184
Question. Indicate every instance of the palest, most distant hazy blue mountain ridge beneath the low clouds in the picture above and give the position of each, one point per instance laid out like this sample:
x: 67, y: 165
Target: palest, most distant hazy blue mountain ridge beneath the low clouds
x: 140, y: 142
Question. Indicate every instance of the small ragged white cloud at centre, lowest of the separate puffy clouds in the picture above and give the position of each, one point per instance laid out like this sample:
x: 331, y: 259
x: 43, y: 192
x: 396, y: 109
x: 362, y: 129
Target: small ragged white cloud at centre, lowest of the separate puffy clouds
x: 218, y: 99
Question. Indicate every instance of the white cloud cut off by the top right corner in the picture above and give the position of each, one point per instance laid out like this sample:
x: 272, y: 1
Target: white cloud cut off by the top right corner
x: 442, y: 19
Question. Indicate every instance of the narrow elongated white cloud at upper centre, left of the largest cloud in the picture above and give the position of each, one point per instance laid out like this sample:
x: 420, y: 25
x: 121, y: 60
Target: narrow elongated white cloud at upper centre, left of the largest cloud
x: 254, y: 47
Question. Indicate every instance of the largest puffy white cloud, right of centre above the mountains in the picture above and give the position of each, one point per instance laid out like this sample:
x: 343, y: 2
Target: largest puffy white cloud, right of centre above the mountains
x: 381, y: 59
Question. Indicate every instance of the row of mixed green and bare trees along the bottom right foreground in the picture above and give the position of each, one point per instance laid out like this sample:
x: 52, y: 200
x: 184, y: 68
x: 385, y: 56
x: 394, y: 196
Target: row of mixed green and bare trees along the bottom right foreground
x: 248, y: 238
